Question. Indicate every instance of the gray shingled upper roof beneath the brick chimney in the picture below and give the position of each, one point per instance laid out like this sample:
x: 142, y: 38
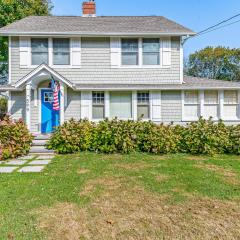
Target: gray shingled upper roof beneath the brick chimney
x: 128, y: 25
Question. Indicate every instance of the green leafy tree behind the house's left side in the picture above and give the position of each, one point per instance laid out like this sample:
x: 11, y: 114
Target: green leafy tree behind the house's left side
x: 12, y: 10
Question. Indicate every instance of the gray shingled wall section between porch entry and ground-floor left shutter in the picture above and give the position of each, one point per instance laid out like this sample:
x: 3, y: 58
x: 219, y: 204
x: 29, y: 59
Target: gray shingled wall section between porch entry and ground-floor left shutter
x: 72, y: 110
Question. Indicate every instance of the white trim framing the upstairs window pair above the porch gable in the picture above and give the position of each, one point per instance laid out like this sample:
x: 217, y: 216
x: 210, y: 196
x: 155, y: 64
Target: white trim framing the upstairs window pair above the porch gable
x: 50, y: 54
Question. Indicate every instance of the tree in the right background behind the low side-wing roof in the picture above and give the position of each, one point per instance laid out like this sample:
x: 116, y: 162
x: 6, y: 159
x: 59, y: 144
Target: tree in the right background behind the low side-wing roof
x: 216, y: 63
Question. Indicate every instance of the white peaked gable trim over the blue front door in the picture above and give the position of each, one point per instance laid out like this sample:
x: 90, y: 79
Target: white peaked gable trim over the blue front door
x: 38, y: 70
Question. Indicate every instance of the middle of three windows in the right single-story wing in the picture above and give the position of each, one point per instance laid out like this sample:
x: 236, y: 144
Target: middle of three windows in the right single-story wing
x: 211, y: 104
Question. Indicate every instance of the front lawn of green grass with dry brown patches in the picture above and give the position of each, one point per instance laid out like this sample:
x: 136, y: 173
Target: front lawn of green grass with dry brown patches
x: 136, y: 196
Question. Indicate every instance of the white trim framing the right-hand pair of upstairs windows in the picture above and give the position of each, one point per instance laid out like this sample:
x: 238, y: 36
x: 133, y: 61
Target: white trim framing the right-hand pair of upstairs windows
x: 140, y: 55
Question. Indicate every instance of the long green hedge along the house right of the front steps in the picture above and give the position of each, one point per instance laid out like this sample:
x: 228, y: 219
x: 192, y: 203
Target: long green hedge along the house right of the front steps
x: 117, y: 136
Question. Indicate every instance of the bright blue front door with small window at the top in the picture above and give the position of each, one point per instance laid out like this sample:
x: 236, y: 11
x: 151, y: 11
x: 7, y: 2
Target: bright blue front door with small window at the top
x: 50, y: 118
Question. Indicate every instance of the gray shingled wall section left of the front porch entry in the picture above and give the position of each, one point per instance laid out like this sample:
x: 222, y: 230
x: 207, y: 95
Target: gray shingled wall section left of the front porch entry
x: 18, y: 104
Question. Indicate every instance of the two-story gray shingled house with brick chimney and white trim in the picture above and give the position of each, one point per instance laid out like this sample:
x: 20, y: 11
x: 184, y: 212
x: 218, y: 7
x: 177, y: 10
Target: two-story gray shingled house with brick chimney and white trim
x: 125, y: 67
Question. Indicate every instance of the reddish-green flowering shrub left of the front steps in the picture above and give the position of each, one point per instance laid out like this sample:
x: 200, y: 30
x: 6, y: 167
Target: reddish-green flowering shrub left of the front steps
x: 15, y: 139
